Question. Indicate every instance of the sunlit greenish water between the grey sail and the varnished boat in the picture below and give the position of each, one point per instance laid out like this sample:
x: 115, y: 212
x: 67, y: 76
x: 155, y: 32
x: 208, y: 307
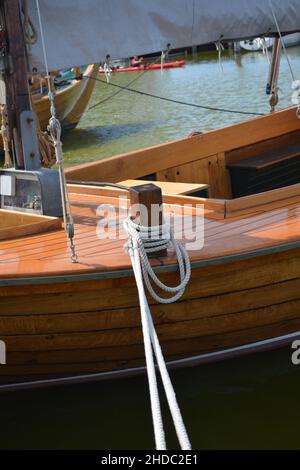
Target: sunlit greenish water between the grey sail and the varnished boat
x: 131, y: 121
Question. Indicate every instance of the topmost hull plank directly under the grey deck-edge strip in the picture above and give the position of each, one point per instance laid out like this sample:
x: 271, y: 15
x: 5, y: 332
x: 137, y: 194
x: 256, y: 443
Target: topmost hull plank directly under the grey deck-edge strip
x: 118, y: 293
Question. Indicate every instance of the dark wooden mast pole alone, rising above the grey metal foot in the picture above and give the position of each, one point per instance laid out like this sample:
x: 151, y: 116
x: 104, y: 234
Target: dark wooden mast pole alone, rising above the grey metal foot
x: 18, y: 99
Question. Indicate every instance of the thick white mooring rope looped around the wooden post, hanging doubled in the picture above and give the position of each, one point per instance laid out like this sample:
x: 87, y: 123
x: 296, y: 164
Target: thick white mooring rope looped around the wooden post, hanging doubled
x: 140, y: 243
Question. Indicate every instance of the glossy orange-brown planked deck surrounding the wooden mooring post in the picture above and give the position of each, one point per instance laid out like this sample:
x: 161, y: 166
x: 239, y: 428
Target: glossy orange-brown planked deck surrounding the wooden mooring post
x: 239, y: 231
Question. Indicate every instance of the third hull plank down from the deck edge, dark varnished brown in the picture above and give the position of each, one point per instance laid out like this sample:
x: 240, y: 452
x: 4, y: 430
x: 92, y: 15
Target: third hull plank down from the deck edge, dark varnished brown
x: 183, y: 330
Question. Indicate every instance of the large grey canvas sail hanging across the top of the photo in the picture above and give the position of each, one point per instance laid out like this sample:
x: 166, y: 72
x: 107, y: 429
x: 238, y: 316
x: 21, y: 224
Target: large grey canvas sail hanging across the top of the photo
x: 78, y: 32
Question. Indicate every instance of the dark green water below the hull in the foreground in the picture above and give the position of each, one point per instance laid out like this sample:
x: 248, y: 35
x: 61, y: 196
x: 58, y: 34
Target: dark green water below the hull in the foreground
x: 246, y: 403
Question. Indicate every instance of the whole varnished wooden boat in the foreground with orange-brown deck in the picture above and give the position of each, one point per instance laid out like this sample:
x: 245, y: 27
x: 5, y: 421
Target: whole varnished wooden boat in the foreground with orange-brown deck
x: 64, y: 322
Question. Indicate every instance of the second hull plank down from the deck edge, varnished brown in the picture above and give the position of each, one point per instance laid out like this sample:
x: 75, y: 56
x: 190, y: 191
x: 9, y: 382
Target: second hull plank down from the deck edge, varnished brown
x: 184, y: 310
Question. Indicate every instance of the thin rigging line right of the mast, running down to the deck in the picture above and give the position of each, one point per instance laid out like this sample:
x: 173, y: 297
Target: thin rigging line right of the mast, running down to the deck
x: 55, y: 132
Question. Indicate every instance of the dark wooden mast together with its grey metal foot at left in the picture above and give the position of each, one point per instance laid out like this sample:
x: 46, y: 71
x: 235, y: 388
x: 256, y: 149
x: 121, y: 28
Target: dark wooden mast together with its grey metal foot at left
x: 27, y: 187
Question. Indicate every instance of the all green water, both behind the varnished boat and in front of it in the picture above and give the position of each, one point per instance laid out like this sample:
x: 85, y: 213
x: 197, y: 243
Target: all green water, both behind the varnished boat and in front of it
x: 251, y: 402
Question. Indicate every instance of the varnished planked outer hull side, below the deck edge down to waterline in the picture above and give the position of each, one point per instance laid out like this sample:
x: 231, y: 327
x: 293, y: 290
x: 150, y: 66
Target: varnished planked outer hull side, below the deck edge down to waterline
x: 70, y: 328
